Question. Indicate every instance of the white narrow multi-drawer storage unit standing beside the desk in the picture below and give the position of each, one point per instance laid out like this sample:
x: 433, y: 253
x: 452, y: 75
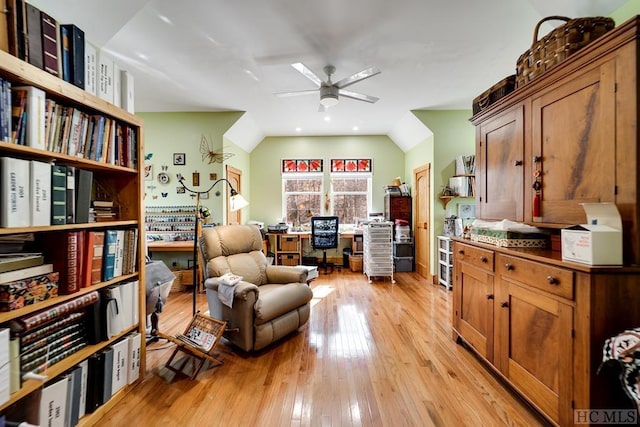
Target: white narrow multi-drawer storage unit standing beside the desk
x: 378, y: 250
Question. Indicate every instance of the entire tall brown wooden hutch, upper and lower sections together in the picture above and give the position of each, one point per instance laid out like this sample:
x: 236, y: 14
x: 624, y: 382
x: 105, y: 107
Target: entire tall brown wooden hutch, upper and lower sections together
x: 540, y: 322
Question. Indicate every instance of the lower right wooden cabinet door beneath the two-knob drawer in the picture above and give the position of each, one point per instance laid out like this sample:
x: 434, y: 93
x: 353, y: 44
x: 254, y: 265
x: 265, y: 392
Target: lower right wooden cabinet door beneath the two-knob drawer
x: 534, y: 347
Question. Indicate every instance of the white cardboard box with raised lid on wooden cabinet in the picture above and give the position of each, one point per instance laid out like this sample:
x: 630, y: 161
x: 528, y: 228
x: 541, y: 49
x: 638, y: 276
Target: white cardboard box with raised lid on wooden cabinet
x: 599, y: 242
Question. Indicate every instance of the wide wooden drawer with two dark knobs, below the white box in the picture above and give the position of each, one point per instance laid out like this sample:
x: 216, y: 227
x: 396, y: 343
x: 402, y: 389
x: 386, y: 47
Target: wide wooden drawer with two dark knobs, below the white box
x: 557, y: 281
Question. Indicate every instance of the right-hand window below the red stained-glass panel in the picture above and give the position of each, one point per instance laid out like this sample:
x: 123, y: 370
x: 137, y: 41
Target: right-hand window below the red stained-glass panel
x: 350, y: 196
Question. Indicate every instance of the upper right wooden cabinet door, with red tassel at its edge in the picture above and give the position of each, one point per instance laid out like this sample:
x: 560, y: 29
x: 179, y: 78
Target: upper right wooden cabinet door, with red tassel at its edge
x: 573, y: 127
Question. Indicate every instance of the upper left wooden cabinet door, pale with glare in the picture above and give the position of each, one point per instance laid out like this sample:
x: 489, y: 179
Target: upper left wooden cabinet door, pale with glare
x: 499, y: 177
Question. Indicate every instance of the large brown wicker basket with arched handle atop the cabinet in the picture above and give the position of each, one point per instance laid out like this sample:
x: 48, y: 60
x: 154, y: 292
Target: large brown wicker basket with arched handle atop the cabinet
x: 556, y: 46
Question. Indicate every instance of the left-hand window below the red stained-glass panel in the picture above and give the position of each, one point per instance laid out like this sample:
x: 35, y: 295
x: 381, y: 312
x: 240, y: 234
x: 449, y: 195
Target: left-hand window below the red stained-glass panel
x: 302, y: 197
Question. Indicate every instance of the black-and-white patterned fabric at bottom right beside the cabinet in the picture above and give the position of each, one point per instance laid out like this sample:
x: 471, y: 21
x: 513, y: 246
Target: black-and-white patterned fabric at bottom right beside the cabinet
x: 624, y: 350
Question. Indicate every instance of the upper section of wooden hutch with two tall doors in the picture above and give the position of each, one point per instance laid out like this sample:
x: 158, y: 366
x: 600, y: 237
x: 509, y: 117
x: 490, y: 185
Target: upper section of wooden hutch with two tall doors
x: 575, y: 128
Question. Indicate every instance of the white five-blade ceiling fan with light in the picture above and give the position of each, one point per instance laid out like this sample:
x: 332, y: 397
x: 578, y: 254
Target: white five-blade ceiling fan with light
x: 330, y: 91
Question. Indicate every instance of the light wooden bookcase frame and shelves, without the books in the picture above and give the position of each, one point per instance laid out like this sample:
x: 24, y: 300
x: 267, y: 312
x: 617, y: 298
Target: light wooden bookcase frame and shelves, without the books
x: 124, y: 184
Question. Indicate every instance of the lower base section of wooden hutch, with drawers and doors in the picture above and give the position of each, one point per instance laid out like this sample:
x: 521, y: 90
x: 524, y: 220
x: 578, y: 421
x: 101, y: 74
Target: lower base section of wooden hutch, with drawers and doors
x: 540, y: 323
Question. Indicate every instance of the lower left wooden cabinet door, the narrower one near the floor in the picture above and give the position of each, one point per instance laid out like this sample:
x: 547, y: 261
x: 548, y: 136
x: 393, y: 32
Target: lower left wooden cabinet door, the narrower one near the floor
x: 473, y: 307
